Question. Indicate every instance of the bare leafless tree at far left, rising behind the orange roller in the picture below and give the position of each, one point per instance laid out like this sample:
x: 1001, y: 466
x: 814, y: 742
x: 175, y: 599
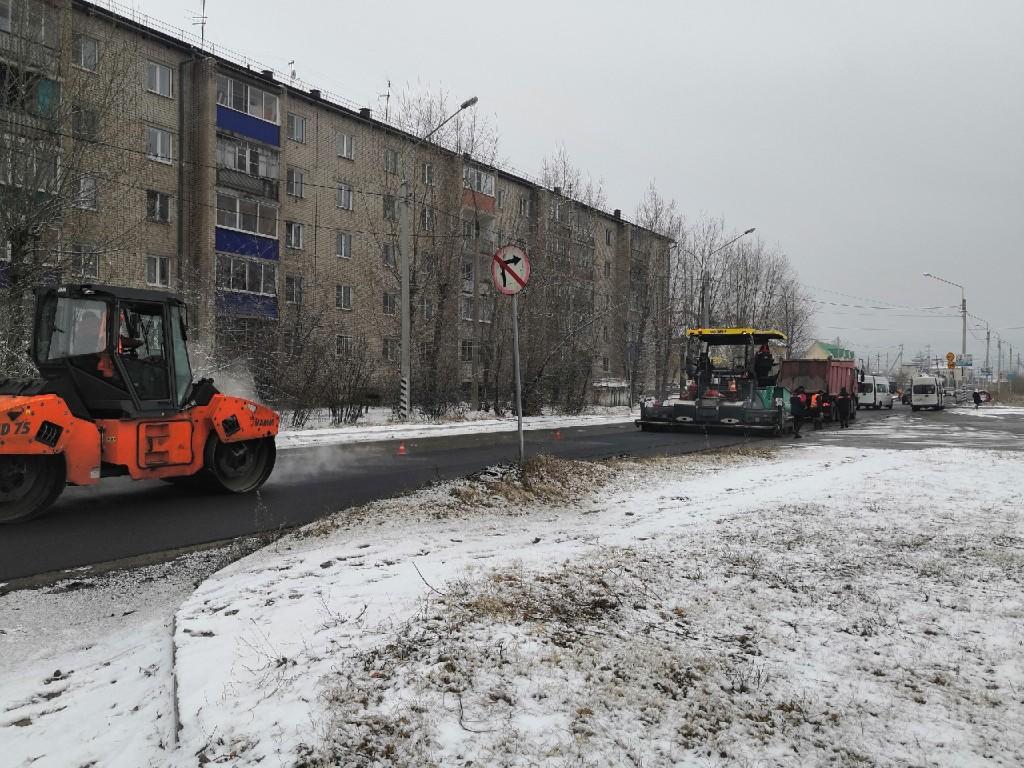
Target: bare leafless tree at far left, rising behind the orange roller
x: 66, y: 95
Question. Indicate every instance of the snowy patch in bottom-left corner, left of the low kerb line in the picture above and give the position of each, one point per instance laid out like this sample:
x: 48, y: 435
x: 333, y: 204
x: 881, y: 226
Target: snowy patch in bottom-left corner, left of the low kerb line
x: 86, y: 667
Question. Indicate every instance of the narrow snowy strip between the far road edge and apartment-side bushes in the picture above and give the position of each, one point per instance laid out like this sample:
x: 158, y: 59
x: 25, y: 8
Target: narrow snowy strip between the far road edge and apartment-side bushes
x: 381, y: 428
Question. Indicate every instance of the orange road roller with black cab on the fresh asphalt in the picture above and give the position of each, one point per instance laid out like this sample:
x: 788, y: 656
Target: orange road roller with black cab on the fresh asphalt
x: 116, y: 397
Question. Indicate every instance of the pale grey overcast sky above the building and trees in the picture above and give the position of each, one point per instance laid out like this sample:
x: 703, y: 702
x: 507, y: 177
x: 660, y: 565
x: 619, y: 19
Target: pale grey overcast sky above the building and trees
x: 873, y: 142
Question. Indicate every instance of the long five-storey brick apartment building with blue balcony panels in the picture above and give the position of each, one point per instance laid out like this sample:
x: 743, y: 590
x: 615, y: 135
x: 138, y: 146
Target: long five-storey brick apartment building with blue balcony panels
x: 275, y: 211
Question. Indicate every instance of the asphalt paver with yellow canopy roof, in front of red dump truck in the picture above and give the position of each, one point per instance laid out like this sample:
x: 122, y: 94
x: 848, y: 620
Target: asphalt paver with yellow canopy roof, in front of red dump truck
x: 734, y: 387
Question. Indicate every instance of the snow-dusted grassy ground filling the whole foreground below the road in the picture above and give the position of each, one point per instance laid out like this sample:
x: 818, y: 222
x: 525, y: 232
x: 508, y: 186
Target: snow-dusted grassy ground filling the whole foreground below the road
x: 812, y: 605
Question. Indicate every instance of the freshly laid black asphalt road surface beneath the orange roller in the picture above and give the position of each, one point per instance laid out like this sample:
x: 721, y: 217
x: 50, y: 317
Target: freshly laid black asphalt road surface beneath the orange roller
x: 120, y: 520
